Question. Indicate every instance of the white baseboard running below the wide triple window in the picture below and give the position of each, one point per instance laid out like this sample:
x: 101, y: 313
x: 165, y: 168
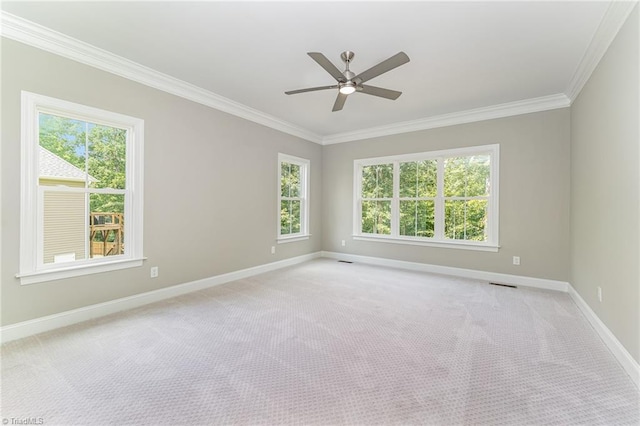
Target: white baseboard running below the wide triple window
x: 493, y: 277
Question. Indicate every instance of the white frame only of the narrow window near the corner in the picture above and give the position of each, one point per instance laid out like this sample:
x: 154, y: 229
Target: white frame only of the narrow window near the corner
x: 304, y: 165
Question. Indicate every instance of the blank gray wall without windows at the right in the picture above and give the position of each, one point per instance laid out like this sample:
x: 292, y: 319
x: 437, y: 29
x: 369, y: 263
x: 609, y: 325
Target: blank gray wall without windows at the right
x: 605, y: 189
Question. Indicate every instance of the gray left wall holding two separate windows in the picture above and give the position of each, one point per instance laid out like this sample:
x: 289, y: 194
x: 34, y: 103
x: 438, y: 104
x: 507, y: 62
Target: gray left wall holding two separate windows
x: 210, y: 186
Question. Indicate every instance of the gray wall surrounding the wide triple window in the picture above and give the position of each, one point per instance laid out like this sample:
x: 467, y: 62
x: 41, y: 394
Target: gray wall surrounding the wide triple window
x: 534, y: 194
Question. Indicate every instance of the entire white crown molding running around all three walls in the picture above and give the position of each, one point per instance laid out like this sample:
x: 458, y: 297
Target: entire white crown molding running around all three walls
x: 30, y: 33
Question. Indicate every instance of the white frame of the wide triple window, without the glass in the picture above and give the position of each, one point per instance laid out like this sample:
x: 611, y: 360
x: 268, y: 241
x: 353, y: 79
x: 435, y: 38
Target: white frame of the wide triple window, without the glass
x: 492, y: 242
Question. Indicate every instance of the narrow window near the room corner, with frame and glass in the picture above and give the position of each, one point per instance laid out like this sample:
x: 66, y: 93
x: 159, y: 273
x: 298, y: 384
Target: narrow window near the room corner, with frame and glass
x: 293, y: 198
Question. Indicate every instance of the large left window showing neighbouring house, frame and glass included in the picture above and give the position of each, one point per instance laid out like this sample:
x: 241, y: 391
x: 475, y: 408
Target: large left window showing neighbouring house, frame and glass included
x: 81, y: 208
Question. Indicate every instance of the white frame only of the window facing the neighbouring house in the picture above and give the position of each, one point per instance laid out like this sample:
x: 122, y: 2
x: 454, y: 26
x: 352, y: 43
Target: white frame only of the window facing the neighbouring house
x: 32, y: 268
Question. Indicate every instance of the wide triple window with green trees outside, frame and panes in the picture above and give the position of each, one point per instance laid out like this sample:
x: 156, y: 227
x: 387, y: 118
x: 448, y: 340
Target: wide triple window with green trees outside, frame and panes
x: 444, y: 198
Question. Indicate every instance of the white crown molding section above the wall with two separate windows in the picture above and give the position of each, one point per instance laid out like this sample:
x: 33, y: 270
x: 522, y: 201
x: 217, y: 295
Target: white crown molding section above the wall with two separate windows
x: 32, y: 34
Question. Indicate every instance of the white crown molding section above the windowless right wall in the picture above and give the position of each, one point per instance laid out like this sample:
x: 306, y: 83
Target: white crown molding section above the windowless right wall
x: 613, y: 19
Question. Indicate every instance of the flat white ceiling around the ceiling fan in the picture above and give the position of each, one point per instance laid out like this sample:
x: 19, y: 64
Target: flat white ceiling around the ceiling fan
x: 464, y: 55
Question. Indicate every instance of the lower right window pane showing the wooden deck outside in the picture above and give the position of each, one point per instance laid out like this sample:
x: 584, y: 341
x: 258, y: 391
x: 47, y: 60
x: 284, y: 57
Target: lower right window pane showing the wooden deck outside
x: 106, y: 225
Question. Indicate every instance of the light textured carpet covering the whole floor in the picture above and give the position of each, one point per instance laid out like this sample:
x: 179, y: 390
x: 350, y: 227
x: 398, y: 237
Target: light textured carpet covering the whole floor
x: 326, y: 343
